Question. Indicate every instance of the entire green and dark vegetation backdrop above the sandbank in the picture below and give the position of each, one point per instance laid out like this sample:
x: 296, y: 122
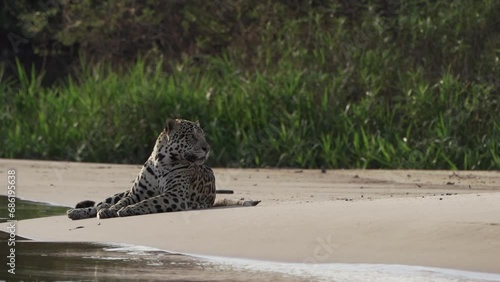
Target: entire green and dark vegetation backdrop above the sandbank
x: 334, y: 84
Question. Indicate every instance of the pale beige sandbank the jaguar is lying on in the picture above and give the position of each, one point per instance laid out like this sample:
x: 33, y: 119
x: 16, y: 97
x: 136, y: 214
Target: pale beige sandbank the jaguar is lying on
x: 428, y: 218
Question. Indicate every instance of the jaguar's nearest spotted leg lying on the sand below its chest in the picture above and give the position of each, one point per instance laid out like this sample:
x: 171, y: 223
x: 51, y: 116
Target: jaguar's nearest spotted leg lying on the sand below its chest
x: 167, y: 202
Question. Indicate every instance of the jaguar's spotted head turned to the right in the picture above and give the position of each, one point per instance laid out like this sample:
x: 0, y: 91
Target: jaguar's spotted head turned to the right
x: 186, y: 141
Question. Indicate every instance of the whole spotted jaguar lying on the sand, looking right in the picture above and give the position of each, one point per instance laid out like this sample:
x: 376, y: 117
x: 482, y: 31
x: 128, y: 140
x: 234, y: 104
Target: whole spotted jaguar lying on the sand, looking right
x: 174, y: 178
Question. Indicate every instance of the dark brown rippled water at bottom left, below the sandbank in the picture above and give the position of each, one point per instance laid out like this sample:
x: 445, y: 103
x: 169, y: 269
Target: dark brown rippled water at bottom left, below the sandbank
x: 49, y: 261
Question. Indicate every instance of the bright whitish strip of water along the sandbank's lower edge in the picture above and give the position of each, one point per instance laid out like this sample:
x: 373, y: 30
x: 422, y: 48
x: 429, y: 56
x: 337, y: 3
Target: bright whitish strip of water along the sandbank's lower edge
x: 332, y: 271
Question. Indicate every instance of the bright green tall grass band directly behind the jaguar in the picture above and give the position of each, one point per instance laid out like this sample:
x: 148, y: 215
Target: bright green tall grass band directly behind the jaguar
x: 252, y: 120
